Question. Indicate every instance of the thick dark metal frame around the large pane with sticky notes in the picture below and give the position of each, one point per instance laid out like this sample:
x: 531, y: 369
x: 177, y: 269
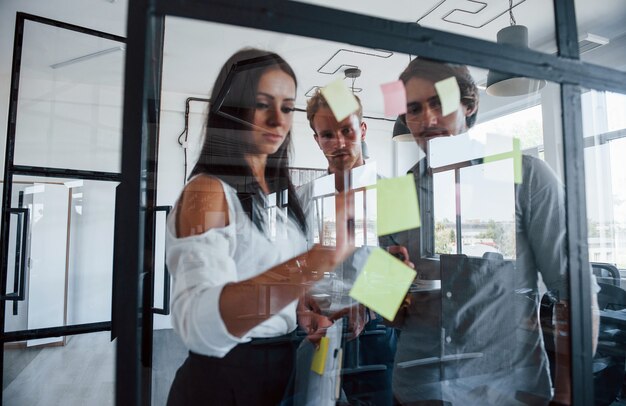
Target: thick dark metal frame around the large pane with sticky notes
x: 330, y: 24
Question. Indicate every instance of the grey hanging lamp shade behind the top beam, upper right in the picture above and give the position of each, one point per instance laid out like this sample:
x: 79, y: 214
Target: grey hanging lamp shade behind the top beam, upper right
x: 506, y: 84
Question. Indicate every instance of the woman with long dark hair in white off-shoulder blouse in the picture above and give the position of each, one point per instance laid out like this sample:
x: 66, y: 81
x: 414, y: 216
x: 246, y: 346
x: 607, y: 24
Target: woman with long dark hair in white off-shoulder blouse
x: 236, y: 244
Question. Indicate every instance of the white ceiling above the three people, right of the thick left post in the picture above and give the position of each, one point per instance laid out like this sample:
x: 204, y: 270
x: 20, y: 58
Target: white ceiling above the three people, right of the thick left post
x: 195, y: 50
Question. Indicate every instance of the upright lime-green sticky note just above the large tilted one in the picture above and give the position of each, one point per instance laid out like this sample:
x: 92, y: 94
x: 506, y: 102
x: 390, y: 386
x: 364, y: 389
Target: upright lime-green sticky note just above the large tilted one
x: 397, y: 207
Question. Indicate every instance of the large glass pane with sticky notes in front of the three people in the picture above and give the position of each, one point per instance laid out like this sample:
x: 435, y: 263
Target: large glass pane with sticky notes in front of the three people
x: 458, y: 283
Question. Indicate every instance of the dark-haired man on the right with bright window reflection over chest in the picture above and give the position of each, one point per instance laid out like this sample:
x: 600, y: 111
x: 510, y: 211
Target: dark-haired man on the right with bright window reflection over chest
x: 482, y: 325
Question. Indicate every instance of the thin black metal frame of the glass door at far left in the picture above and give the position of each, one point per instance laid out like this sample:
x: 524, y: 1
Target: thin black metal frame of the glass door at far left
x: 10, y: 170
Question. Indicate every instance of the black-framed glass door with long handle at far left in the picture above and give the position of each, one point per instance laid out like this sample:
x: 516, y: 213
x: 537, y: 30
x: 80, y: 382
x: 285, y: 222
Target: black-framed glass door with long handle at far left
x: 61, y: 171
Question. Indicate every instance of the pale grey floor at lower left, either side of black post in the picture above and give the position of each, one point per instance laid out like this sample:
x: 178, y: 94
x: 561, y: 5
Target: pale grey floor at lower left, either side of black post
x: 83, y: 371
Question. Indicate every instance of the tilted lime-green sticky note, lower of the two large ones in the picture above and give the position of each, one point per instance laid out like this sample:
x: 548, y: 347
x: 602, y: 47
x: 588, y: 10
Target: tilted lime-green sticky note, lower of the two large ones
x: 383, y: 283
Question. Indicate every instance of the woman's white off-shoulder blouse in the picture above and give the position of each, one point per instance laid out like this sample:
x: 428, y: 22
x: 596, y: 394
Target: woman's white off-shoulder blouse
x: 201, y: 265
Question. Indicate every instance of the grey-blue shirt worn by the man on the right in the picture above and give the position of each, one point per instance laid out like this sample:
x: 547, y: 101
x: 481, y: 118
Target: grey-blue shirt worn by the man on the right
x: 478, y: 341
